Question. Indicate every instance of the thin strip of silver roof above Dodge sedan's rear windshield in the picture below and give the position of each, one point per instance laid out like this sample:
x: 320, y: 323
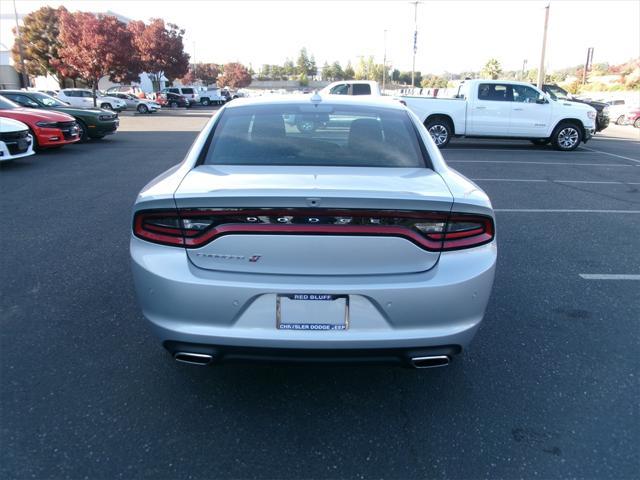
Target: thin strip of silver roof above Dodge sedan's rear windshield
x: 301, y: 99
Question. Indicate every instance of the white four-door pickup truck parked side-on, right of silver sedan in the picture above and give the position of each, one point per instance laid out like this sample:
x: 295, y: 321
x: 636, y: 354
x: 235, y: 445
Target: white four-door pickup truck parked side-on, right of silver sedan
x: 505, y: 109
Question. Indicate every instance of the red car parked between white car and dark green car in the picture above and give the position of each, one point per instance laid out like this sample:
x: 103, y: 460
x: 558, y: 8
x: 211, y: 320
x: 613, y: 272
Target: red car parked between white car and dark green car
x: 49, y: 129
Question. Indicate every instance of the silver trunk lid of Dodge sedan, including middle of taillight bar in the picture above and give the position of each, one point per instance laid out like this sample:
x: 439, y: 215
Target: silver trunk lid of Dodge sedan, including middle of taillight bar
x: 313, y: 220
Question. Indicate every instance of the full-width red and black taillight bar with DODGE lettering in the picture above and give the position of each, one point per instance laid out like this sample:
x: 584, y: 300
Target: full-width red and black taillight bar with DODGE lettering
x: 195, y: 227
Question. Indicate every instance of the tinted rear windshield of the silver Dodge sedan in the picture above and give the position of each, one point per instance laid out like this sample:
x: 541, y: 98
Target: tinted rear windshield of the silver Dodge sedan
x: 323, y: 135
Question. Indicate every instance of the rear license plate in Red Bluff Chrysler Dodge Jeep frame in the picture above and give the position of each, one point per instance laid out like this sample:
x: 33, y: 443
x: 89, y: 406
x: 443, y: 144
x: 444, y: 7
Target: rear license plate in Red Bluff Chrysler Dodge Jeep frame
x: 312, y: 312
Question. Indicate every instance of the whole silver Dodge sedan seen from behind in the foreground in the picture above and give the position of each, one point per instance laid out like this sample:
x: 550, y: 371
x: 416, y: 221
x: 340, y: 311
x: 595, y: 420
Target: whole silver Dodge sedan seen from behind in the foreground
x: 349, y: 241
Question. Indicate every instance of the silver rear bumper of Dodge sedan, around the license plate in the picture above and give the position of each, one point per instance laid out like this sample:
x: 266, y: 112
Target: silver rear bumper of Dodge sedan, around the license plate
x: 440, y: 307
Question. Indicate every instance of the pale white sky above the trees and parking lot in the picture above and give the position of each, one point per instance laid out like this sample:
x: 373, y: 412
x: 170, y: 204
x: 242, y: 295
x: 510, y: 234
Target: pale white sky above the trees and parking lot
x: 453, y: 35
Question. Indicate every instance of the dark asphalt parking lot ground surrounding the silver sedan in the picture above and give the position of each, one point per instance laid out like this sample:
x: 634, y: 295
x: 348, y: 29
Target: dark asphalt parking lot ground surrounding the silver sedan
x: 548, y: 389
